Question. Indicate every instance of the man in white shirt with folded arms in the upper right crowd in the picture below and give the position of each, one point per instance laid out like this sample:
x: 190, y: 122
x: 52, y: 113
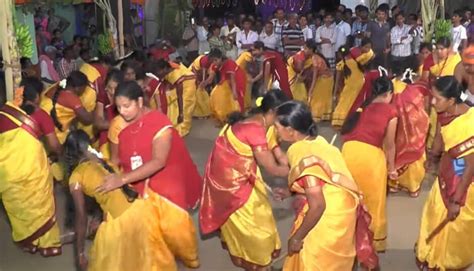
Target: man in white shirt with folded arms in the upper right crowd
x: 400, y: 39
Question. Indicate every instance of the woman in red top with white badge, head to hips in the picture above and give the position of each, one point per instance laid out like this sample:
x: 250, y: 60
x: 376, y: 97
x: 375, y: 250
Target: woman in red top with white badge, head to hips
x: 165, y: 167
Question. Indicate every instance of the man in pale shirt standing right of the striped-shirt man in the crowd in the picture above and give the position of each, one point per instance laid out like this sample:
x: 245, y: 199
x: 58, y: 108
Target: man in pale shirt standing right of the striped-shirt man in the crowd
x: 326, y: 36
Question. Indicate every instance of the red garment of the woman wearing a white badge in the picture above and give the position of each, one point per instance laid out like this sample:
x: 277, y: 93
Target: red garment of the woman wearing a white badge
x: 179, y: 180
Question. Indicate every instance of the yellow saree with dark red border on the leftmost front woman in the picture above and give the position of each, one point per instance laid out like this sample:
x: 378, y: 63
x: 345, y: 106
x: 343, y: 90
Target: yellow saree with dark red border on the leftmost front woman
x: 26, y: 190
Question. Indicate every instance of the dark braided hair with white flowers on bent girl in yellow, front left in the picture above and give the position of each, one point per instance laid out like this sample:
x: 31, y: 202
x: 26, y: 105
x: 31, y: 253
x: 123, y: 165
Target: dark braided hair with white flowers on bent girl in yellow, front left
x: 76, y: 146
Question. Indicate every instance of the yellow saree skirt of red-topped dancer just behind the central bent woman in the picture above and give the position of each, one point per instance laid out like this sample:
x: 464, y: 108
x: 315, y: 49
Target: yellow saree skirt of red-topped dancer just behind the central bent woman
x: 222, y: 102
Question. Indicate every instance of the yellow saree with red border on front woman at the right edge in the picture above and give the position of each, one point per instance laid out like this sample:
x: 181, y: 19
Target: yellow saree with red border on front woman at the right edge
x: 451, y: 248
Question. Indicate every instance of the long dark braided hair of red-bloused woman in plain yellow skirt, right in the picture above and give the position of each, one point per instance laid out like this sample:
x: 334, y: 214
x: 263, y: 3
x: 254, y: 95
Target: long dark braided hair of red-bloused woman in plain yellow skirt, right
x: 381, y: 86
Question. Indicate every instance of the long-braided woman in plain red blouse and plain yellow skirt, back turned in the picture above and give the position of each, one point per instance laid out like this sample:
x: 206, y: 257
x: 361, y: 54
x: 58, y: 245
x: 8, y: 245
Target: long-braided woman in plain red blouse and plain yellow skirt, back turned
x: 367, y: 133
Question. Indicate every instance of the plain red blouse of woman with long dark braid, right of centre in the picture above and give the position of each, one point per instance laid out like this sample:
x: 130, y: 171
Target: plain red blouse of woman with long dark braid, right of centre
x: 372, y: 124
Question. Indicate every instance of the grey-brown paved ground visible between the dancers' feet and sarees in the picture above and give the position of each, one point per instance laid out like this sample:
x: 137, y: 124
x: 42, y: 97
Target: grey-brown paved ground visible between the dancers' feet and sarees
x: 403, y: 219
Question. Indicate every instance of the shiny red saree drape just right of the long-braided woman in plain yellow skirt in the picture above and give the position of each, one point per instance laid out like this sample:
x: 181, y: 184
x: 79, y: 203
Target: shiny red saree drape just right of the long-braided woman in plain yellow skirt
x: 413, y: 124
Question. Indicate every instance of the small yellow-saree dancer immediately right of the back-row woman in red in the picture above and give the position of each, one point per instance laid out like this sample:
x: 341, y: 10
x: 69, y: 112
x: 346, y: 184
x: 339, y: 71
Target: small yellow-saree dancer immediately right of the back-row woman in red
x: 297, y: 64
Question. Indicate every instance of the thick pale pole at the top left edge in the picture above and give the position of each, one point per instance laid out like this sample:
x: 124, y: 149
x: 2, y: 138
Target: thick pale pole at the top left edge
x: 9, y: 49
